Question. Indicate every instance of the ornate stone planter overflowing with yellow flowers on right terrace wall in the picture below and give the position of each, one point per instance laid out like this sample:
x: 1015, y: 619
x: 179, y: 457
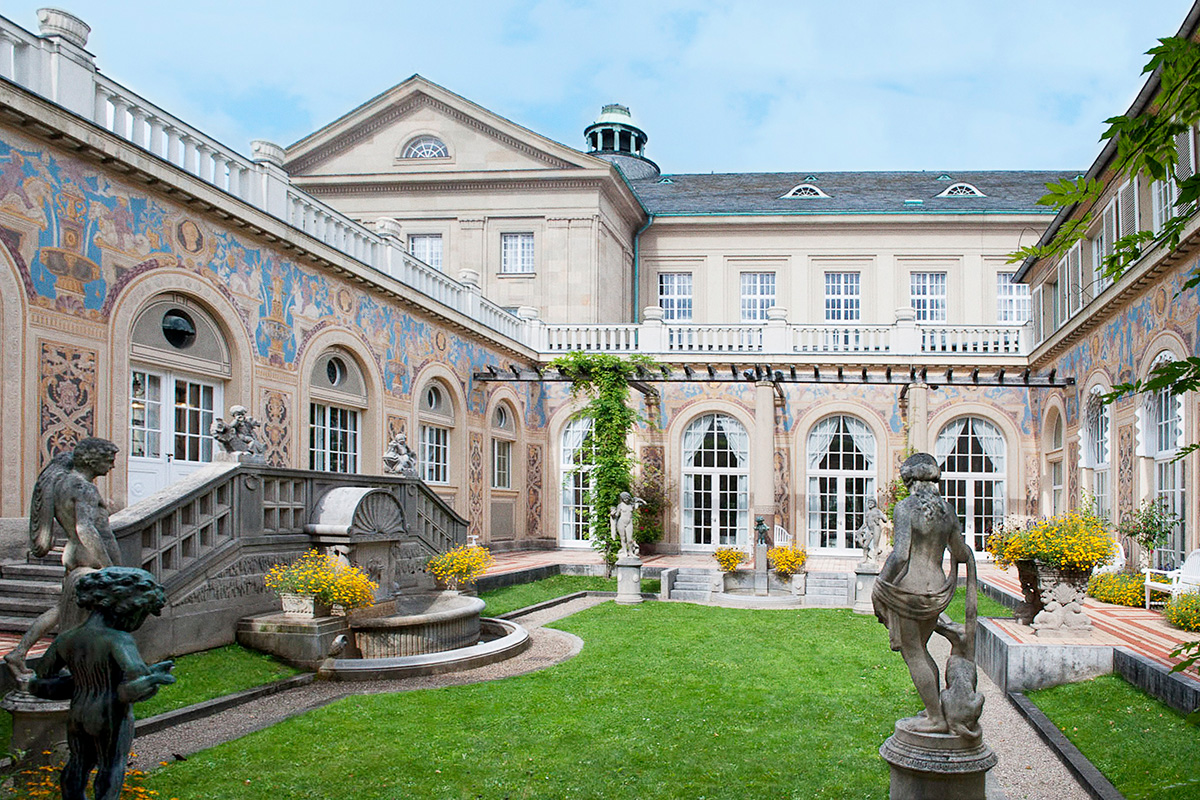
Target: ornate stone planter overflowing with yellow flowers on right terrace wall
x: 1064, y: 551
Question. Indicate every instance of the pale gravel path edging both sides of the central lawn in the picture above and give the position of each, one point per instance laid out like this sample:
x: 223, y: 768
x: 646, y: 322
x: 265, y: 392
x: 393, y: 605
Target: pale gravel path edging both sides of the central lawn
x: 1028, y: 771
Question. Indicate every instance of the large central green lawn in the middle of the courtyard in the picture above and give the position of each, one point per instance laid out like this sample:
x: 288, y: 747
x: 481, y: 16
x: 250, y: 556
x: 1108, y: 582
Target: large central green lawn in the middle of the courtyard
x: 665, y: 701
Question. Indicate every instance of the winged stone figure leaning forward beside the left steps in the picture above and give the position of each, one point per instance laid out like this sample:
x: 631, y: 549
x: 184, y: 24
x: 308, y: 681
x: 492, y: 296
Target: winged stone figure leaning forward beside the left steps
x: 65, y: 500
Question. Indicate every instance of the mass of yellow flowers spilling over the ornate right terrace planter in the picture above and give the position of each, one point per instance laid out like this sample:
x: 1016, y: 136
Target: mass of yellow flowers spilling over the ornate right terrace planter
x: 1078, y: 540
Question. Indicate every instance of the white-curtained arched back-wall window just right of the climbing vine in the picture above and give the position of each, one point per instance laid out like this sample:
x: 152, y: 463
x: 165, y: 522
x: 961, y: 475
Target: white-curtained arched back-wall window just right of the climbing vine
x: 716, y: 483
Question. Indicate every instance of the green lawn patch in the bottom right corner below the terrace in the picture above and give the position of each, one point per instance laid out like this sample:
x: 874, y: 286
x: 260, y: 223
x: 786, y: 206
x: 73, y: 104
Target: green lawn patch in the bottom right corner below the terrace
x: 1142, y: 745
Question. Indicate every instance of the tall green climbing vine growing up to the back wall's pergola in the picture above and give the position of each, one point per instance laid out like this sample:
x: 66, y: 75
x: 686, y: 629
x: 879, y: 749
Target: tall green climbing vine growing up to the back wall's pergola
x: 605, y: 380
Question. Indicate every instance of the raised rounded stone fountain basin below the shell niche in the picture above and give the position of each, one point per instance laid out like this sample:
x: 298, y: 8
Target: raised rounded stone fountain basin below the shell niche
x: 417, y: 625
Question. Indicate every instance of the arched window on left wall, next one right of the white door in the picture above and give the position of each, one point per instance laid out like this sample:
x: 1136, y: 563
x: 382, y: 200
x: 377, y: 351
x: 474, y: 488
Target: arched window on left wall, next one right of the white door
x: 339, y: 396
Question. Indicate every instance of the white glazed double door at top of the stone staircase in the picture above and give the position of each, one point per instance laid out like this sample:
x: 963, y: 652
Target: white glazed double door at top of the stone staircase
x: 171, y: 418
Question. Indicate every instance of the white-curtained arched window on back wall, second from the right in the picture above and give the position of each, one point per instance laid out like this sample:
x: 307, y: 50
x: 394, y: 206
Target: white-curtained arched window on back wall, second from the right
x: 842, y: 480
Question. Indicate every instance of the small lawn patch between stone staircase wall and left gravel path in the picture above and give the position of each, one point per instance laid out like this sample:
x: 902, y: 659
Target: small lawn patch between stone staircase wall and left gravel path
x: 214, y: 673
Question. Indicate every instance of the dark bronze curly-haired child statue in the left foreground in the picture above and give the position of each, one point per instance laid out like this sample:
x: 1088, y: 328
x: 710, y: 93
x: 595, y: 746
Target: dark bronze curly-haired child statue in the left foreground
x: 105, y: 677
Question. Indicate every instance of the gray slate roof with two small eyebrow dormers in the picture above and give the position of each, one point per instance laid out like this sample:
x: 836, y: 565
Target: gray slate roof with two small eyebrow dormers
x: 755, y: 194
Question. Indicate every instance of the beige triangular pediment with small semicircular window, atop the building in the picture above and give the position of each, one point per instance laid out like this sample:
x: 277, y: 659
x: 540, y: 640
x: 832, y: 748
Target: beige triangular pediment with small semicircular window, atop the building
x: 373, y: 140
